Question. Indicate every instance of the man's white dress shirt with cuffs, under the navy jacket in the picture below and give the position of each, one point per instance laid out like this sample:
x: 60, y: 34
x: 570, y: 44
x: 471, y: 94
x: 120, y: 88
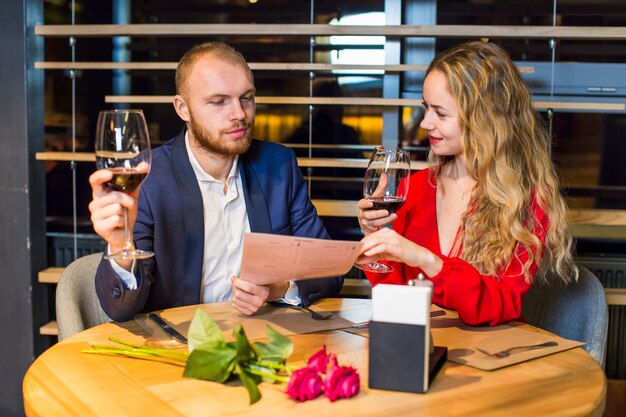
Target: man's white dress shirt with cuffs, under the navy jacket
x: 225, y: 223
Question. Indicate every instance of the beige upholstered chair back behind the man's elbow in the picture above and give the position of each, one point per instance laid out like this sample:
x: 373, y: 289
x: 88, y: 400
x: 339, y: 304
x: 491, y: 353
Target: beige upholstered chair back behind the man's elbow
x: 77, y: 304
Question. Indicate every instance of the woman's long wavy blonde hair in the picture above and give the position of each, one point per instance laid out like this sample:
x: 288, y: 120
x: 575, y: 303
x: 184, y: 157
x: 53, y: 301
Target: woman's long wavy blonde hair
x: 507, y: 152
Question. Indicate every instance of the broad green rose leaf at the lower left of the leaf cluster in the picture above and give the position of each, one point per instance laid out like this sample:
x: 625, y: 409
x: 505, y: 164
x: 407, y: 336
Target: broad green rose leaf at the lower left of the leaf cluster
x: 211, y: 361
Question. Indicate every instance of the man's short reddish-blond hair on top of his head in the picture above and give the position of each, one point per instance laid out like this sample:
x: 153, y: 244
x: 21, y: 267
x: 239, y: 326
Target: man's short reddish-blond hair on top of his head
x: 220, y: 50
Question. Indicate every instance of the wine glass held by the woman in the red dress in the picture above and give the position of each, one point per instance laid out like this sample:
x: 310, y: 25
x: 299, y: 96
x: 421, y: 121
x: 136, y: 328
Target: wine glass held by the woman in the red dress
x: 386, y: 185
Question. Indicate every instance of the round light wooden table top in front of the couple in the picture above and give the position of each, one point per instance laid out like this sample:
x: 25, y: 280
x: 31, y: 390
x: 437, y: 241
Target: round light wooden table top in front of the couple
x: 65, y: 382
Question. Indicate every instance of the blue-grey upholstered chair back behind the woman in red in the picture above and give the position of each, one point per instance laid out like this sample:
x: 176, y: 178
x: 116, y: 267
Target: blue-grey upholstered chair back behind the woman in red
x: 576, y: 311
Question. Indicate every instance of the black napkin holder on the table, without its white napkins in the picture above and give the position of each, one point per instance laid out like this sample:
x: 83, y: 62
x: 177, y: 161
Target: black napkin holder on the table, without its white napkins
x: 400, y: 358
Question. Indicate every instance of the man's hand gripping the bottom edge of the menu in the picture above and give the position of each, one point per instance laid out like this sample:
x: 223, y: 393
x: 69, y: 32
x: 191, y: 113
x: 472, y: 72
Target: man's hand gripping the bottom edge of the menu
x: 249, y: 297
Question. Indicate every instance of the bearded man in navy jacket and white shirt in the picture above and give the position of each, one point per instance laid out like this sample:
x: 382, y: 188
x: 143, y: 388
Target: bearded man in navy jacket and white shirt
x: 208, y: 186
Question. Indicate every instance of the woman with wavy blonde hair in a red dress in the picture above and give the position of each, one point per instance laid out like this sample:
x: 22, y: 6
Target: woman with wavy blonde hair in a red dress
x: 487, y: 214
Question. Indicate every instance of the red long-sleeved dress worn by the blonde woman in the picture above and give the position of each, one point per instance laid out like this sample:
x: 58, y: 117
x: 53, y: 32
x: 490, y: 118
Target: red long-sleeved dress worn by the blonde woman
x: 477, y: 298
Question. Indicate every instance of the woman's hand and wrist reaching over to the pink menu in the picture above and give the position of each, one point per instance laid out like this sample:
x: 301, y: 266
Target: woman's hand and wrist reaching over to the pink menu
x: 387, y: 244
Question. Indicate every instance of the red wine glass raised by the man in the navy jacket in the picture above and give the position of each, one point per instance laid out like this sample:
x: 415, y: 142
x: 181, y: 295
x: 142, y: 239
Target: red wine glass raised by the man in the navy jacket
x: 123, y: 147
